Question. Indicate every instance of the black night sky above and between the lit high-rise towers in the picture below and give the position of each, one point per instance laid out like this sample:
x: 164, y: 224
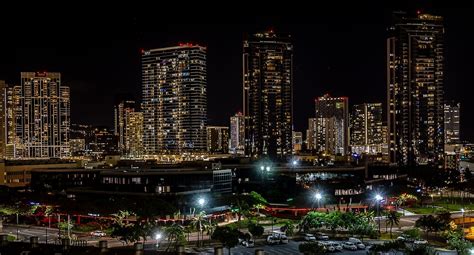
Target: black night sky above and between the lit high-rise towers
x: 340, y: 52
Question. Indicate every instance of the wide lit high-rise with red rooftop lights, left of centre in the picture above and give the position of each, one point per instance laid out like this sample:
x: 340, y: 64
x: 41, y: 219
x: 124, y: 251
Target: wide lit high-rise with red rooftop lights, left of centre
x: 174, y: 99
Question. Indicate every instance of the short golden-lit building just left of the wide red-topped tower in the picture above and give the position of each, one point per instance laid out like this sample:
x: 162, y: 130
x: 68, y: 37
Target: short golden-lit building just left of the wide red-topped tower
x: 134, y: 134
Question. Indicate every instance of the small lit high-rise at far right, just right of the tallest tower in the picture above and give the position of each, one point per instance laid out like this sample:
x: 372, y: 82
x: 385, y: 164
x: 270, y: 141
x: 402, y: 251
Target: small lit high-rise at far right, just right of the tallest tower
x: 452, y: 123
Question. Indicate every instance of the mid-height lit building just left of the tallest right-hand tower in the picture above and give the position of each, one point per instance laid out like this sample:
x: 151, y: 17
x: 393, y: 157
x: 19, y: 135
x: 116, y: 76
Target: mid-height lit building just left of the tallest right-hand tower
x: 367, y: 128
